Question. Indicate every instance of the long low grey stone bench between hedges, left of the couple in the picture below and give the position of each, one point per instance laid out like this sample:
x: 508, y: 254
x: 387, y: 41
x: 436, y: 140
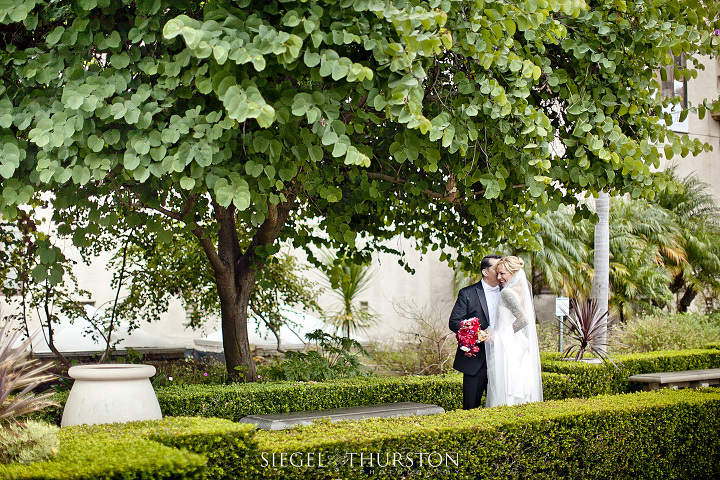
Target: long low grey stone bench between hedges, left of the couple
x: 281, y: 421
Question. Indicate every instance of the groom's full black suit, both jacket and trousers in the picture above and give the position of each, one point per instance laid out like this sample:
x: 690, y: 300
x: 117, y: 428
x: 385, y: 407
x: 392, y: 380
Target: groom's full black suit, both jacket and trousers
x: 471, y: 303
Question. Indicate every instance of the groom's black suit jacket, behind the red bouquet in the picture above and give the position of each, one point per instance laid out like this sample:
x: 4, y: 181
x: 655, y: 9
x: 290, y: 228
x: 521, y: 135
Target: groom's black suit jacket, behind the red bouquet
x: 470, y: 303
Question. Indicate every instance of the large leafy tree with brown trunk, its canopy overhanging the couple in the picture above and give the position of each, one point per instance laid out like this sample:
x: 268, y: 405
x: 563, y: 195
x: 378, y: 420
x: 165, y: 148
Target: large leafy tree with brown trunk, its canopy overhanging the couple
x: 445, y: 120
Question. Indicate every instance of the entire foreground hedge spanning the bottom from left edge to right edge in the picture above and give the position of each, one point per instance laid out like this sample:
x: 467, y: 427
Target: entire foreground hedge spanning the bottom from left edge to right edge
x: 661, y: 435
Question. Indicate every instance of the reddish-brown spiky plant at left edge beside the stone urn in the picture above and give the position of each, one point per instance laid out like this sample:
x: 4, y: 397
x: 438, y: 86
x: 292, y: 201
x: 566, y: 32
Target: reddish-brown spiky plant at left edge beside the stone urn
x: 19, y: 376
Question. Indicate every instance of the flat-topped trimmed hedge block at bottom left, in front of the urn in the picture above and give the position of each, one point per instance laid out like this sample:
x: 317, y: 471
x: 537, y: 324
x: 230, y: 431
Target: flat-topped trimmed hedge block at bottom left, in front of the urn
x: 174, y: 448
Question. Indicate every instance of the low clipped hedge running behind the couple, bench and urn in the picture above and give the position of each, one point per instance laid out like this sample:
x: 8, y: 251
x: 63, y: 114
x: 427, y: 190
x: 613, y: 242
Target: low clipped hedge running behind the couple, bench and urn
x: 561, y: 379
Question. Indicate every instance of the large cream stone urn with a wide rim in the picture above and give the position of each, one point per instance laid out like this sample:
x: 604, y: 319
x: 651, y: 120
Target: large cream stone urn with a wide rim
x: 109, y: 393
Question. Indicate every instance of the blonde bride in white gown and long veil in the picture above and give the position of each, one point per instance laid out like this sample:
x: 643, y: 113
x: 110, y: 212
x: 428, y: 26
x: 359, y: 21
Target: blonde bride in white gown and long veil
x: 513, y: 357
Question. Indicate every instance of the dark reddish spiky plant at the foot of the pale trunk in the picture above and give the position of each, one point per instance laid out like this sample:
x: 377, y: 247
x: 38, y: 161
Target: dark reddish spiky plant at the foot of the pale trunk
x: 585, y: 329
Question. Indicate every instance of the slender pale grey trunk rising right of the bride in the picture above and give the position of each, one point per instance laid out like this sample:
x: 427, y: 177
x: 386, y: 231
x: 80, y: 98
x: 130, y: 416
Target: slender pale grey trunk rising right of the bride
x: 601, y: 279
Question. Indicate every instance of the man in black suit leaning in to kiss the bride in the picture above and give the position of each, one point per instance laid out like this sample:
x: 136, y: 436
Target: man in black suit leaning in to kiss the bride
x: 479, y: 300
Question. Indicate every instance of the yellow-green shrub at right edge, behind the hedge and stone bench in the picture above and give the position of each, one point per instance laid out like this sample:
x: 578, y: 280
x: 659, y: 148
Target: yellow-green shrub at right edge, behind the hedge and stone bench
x: 669, y: 332
